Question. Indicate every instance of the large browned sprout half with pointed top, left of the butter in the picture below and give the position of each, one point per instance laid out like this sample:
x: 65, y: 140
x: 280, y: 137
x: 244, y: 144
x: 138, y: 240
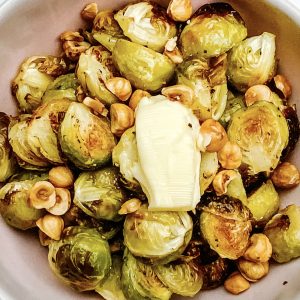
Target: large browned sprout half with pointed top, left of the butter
x: 85, y: 138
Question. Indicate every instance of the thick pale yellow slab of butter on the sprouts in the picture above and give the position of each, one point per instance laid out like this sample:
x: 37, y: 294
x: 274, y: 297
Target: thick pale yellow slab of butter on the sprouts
x: 167, y: 134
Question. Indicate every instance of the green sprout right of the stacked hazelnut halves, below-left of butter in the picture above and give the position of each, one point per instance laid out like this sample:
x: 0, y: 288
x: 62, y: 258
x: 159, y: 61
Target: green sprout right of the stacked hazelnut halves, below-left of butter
x: 99, y: 195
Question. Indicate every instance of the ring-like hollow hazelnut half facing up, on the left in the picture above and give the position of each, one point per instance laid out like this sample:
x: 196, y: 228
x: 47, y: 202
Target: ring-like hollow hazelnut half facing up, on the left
x: 42, y: 195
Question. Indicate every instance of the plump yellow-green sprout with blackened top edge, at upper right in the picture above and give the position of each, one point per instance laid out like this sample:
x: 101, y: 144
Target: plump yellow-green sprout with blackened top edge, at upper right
x: 214, y: 29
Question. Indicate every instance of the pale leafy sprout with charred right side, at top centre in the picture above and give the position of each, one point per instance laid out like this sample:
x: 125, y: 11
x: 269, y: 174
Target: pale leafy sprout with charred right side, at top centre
x: 147, y: 24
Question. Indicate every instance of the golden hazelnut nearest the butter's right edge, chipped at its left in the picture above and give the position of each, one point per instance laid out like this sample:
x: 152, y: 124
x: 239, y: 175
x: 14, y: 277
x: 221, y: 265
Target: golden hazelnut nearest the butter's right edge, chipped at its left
x: 217, y: 133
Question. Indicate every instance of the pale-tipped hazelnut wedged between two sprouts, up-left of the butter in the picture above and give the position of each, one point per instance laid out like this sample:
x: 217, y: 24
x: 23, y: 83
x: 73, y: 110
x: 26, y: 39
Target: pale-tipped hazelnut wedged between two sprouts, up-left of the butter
x: 119, y: 86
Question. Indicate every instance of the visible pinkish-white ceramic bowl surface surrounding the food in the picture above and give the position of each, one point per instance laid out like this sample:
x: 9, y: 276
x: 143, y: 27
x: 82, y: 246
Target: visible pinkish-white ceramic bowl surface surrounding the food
x: 31, y: 27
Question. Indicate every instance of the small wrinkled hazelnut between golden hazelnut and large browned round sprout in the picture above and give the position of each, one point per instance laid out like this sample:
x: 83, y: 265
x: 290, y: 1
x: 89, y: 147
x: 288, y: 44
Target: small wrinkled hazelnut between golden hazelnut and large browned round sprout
x: 230, y: 156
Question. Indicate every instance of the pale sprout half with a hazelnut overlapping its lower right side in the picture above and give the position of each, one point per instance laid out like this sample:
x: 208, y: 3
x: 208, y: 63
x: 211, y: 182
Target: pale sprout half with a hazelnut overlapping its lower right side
x: 94, y: 68
